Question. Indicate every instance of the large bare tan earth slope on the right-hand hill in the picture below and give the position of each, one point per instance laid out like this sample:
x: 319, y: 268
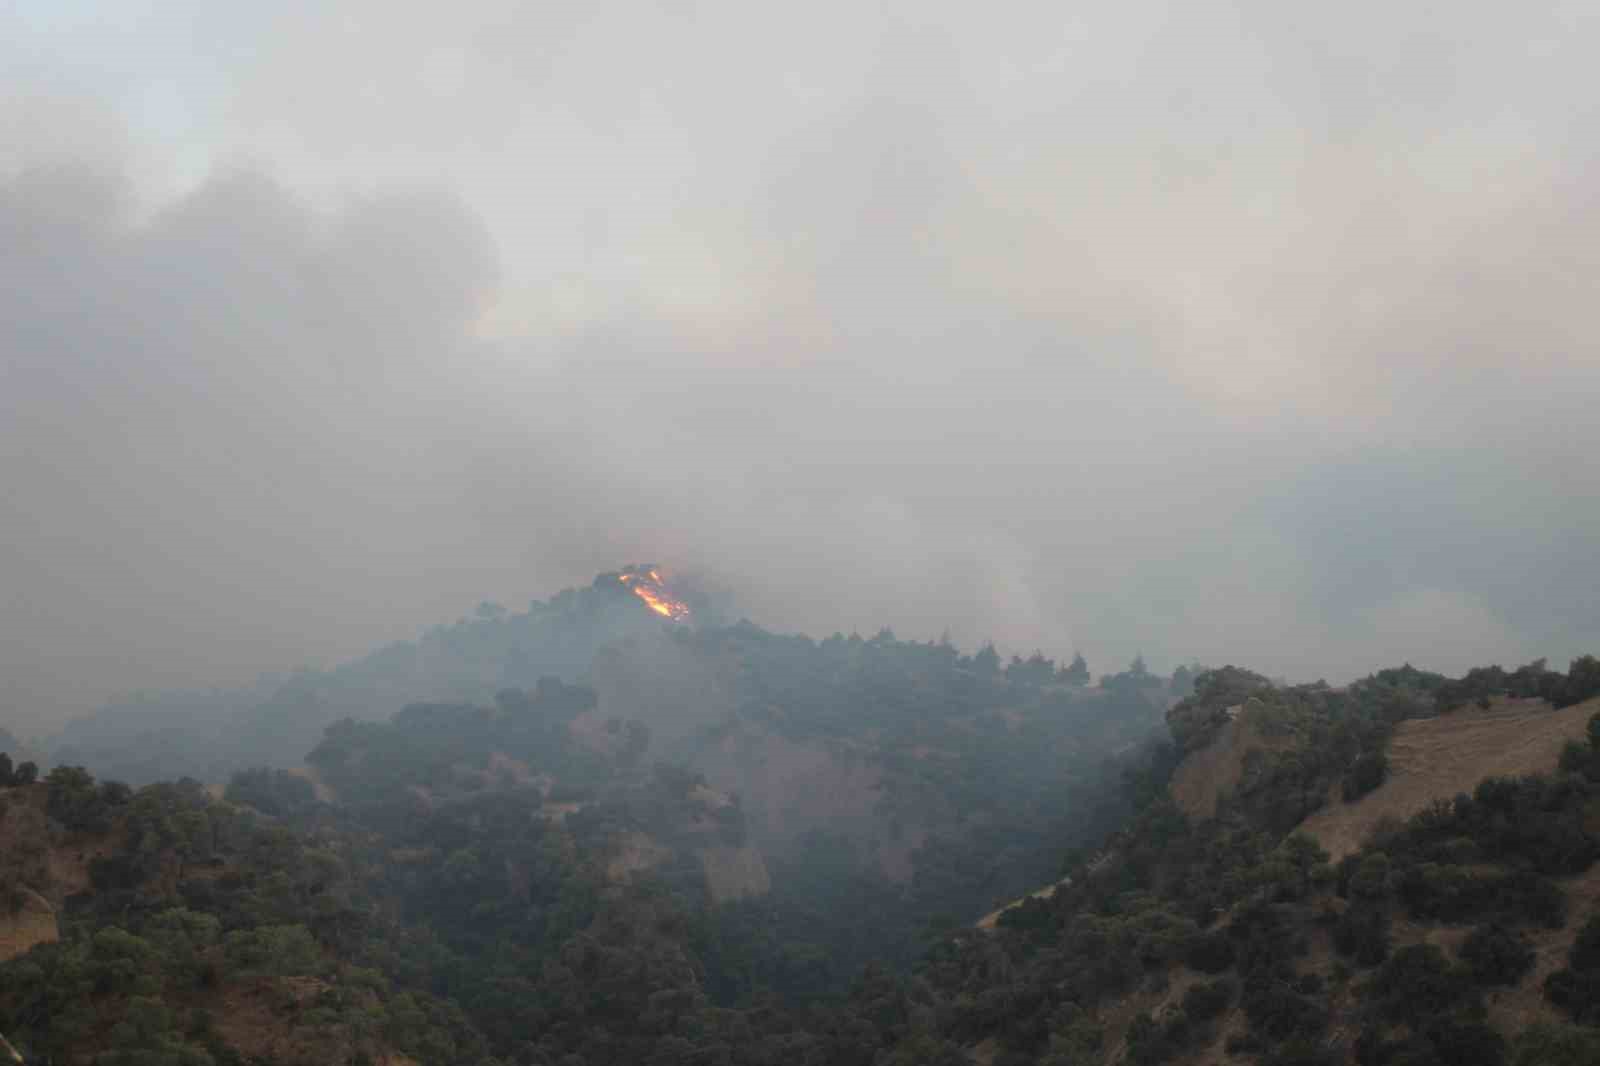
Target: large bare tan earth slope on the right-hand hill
x: 1441, y: 758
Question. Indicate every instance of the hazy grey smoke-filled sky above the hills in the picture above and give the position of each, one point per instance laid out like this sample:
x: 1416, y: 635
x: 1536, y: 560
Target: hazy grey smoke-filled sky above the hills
x: 1242, y: 332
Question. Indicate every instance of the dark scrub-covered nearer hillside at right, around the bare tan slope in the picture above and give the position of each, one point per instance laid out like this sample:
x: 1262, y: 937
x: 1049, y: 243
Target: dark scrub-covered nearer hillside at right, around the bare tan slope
x: 1462, y: 936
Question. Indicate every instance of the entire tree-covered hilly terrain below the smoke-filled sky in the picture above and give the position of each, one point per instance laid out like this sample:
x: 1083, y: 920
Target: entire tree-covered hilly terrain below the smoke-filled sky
x: 783, y: 857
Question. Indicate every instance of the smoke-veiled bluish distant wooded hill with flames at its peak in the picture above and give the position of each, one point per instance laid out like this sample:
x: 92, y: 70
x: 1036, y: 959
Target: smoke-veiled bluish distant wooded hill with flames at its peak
x: 956, y: 779
